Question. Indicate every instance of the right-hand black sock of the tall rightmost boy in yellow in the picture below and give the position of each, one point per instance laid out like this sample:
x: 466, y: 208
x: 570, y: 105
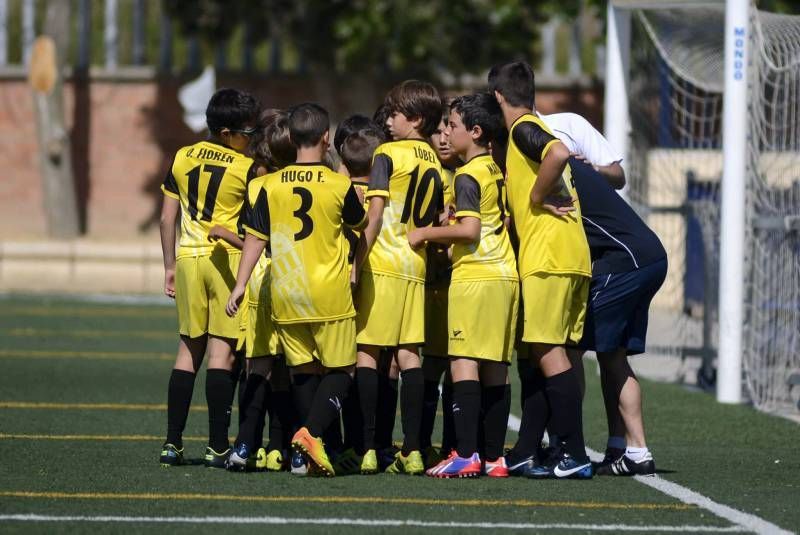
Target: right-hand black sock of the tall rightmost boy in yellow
x: 564, y: 395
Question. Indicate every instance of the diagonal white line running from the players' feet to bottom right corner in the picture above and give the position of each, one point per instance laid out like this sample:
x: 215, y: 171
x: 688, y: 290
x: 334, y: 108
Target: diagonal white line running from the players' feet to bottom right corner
x: 741, y: 519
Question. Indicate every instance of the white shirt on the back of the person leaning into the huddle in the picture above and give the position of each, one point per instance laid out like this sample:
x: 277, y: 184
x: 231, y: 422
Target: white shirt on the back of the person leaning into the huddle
x: 581, y: 137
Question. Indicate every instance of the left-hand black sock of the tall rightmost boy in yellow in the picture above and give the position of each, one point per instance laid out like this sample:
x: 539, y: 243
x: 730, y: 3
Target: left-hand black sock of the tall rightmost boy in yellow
x: 535, y: 413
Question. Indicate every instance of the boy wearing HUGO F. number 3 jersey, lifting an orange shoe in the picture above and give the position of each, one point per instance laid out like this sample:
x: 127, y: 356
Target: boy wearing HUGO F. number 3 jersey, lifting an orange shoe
x: 301, y: 210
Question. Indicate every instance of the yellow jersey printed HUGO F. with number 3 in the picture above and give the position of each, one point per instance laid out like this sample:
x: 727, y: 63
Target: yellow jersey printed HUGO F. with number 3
x: 301, y: 210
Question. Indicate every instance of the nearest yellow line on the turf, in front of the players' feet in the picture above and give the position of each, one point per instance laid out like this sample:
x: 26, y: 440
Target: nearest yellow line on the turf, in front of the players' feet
x: 341, y: 499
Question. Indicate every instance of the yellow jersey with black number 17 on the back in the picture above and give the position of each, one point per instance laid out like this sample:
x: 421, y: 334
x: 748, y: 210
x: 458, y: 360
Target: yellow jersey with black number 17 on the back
x: 210, y: 181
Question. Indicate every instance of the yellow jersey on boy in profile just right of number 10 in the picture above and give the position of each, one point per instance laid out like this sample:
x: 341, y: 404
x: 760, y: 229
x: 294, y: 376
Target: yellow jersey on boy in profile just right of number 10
x: 480, y: 192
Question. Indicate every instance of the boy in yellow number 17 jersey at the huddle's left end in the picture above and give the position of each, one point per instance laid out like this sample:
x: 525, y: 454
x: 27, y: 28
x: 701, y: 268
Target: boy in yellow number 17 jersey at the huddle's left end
x: 206, y: 185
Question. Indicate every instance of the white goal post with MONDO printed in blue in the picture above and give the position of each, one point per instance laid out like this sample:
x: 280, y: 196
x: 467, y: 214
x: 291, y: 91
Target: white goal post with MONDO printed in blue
x: 732, y: 217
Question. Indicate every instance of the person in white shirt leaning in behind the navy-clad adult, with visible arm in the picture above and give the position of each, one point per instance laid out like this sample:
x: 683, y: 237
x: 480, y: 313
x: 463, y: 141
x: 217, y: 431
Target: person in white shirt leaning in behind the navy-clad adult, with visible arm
x: 587, y: 144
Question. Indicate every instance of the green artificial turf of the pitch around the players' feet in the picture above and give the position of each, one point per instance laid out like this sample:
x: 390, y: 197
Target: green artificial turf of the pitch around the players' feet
x: 116, y: 359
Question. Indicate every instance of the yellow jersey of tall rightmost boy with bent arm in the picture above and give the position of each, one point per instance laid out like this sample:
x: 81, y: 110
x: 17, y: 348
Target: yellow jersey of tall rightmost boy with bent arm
x: 548, y: 243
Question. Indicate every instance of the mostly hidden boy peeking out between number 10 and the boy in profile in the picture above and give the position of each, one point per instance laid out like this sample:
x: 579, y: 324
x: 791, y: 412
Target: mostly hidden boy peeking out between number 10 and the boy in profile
x: 437, y: 280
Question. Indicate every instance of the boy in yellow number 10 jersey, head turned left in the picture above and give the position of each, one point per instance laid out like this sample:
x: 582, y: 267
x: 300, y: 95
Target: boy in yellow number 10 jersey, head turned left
x: 405, y: 189
